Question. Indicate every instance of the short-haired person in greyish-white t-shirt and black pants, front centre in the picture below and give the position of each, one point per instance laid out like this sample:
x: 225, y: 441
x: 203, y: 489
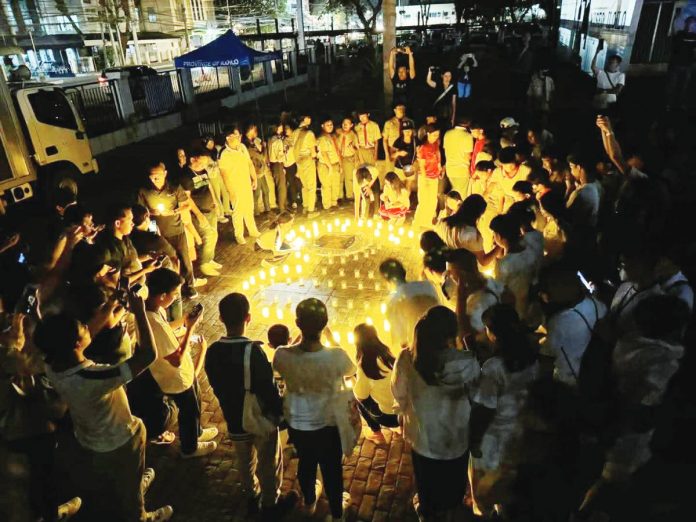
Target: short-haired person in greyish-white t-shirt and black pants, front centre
x: 312, y: 372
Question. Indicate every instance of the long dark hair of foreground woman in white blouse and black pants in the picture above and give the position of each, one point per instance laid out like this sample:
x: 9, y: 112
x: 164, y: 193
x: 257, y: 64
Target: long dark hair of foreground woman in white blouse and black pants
x: 433, y: 334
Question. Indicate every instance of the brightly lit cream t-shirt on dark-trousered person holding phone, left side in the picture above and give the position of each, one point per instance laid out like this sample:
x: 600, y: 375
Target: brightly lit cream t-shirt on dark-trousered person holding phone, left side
x: 169, y: 378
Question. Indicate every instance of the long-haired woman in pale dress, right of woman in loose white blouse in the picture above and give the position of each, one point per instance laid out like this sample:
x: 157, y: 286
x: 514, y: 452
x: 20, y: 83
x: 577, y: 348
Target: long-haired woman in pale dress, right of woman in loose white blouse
x: 499, y: 398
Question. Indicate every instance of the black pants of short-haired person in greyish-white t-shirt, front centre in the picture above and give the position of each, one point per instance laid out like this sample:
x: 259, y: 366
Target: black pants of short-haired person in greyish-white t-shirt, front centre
x: 323, y: 448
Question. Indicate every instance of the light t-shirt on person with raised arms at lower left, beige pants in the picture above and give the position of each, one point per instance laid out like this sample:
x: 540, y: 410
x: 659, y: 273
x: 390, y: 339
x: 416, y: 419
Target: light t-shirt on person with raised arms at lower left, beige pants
x: 98, y: 404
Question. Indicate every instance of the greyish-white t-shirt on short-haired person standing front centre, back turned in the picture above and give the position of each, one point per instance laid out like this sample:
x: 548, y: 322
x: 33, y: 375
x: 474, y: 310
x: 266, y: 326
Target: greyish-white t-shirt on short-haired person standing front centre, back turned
x: 311, y: 380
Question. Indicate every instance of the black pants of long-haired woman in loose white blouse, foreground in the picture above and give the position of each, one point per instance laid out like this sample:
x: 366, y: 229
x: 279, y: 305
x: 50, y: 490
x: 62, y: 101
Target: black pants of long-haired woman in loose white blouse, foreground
x: 441, y: 484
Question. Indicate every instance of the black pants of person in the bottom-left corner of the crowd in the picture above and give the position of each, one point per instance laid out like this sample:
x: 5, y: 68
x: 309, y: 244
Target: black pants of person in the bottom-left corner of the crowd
x: 40, y: 453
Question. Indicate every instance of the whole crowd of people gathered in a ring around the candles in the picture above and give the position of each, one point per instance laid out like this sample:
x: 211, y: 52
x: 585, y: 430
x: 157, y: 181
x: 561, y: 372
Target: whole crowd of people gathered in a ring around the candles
x: 528, y: 364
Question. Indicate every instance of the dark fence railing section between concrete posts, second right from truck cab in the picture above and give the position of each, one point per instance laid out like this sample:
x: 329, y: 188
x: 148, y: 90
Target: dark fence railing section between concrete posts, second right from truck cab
x: 157, y: 95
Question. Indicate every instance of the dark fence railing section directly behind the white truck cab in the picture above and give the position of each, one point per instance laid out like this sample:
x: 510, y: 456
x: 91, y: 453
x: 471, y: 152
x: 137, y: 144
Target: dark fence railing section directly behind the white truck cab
x: 98, y: 105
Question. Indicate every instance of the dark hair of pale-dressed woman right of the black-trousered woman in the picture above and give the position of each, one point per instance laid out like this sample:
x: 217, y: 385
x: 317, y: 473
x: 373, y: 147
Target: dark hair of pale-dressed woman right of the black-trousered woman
x: 512, y: 341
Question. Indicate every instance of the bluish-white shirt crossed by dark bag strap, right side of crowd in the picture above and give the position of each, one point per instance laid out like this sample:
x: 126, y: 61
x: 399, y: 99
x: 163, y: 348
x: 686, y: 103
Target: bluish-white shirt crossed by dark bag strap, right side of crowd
x: 568, y: 335
